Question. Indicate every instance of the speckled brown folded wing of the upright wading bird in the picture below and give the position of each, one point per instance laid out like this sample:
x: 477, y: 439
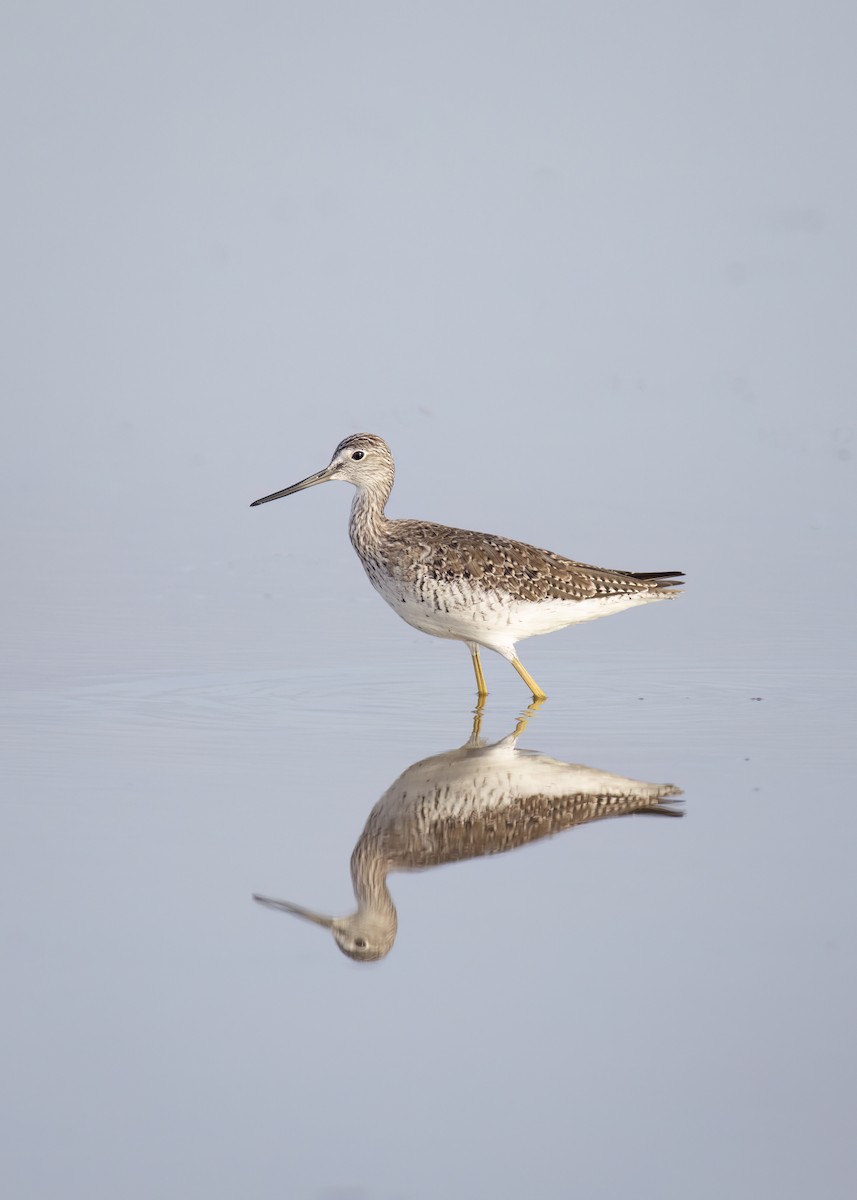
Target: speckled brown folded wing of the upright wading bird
x: 523, y: 572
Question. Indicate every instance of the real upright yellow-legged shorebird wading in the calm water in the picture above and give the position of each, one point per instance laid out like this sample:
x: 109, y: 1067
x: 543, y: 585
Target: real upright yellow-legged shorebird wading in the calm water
x: 474, y: 587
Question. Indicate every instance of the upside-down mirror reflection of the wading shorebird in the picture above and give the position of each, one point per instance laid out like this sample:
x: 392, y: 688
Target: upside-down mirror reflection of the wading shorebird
x: 465, y: 803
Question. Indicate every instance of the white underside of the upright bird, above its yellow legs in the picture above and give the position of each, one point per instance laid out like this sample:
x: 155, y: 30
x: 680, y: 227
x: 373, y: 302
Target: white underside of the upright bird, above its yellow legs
x: 498, y: 626
